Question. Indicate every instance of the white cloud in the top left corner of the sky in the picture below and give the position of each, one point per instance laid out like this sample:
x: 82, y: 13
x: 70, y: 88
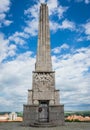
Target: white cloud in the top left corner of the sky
x: 4, y: 8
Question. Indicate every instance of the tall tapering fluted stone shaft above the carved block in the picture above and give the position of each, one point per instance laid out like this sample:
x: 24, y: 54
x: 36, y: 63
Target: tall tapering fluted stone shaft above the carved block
x: 43, y: 61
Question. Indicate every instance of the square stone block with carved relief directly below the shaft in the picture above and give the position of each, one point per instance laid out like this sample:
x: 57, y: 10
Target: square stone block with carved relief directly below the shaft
x: 43, y: 81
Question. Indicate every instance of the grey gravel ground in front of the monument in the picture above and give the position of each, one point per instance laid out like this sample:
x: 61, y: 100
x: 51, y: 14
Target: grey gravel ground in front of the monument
x: 68, y: 126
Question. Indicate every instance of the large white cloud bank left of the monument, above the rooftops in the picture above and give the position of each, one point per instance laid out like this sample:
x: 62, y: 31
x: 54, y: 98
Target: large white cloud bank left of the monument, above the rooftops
x: 15, y: 80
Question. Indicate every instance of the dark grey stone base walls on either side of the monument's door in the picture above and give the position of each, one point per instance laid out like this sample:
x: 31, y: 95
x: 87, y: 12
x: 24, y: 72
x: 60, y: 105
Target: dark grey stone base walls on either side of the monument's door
x: 30, y: 115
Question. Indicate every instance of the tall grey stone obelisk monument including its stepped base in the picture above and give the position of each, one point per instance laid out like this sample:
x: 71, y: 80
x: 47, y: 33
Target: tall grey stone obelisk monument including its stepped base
x: 43, y: 100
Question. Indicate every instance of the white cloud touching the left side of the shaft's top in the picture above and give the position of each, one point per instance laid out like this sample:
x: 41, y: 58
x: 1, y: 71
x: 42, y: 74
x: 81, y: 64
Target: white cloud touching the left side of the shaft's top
x: 32, y: 22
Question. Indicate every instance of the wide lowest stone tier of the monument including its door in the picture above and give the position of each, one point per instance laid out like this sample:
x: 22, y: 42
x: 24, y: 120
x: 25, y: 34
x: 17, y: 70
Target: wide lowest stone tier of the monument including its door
x: 33, y: 115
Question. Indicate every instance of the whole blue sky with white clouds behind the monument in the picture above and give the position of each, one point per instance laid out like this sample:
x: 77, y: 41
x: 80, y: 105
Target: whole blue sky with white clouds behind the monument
x: 70, y: 50
